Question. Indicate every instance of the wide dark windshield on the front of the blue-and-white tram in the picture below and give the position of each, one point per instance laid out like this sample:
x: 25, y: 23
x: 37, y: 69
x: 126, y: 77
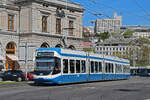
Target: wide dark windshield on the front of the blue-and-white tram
x: 47, y: 65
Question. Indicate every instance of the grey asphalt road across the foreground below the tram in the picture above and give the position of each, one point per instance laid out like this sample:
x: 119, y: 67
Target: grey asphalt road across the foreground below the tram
x: 133, y: 89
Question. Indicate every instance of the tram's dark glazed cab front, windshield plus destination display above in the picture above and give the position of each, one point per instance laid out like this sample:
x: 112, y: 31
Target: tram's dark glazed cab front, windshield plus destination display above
x: 47, y: 64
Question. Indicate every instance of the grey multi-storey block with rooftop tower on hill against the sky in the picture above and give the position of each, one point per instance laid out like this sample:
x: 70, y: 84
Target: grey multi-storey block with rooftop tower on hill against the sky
x: 108, y: 25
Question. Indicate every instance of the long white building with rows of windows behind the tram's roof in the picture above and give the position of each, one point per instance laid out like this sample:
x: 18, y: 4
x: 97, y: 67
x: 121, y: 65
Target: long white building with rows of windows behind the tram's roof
x: 113, y: 45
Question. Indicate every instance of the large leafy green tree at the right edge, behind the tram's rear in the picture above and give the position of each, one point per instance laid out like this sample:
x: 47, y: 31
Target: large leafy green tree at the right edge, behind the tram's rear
x: 142, y: 52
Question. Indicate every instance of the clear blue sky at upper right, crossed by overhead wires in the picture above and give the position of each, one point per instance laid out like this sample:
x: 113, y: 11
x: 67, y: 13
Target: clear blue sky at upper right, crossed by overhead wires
x: 133, y: 12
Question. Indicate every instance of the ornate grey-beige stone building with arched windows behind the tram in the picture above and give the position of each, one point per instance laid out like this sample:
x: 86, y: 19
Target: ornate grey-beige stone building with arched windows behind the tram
x: 26, y: 25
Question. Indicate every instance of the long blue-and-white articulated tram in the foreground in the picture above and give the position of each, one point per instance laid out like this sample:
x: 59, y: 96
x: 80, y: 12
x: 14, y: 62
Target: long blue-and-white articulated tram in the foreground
x: 61, y: 66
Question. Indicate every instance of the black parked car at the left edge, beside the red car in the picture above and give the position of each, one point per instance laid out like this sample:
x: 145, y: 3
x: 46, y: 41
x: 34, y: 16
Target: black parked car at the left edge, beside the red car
x: 12, y: 75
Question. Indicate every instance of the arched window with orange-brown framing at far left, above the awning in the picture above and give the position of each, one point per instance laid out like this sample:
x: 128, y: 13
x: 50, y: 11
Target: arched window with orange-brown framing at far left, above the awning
x: 11, y: 48
